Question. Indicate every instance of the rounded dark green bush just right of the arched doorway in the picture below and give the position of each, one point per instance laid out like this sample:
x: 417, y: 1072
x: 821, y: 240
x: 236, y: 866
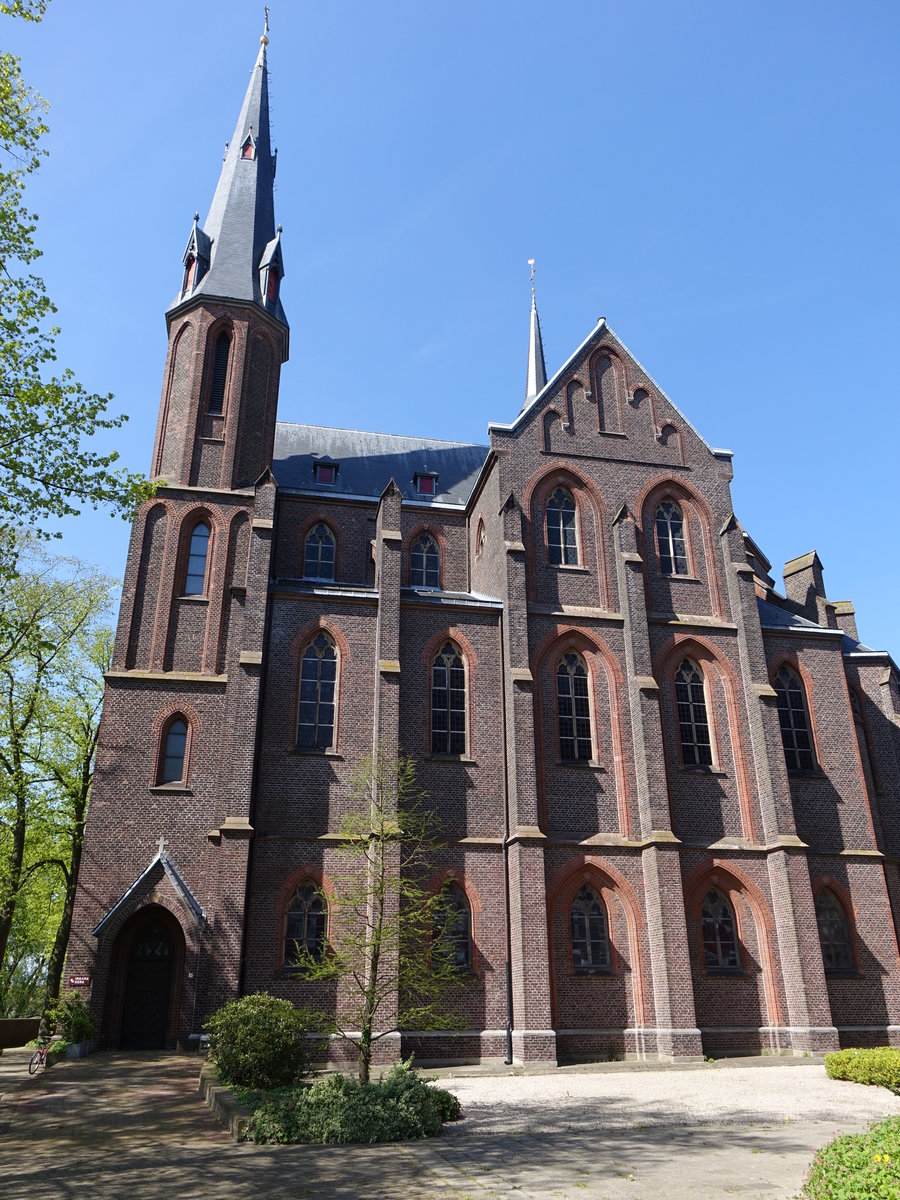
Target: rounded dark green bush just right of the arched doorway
x: 262, y: 1042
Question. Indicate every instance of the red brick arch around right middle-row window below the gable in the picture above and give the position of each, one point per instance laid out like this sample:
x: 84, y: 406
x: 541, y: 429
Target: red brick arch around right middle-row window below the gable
x: 709, y: 656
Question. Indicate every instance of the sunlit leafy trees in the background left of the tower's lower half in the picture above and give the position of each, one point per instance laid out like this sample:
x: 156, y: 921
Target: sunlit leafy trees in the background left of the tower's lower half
x: 55, y: 646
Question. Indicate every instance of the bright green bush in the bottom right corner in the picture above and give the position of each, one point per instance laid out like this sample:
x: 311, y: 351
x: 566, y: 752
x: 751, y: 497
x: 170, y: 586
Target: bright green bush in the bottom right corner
x: 859, y: 1167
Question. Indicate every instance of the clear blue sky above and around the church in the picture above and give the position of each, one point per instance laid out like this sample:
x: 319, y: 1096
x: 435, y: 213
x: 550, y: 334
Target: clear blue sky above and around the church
x: 719, y: 181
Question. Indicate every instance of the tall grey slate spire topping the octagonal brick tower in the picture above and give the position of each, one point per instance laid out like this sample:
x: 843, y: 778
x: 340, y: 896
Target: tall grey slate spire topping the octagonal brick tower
x: 239, y: 232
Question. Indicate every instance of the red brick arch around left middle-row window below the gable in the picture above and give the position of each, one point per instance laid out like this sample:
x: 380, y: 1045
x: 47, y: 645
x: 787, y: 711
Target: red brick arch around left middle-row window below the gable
x: 549, y: 651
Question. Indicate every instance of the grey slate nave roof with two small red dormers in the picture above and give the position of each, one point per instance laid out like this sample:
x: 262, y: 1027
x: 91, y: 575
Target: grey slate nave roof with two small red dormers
x: 369, y: 461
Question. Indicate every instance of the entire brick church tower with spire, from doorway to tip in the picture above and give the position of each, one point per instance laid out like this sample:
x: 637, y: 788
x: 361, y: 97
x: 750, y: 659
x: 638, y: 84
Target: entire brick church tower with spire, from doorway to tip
x: 160, y: 917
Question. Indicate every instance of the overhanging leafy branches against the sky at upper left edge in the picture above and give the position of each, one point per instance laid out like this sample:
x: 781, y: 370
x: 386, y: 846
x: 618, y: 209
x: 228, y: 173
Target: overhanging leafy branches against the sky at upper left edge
x: 47, y: 470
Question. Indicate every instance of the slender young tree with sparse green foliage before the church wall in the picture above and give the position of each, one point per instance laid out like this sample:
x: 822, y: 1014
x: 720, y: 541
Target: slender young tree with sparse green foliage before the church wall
x: 391, y: 932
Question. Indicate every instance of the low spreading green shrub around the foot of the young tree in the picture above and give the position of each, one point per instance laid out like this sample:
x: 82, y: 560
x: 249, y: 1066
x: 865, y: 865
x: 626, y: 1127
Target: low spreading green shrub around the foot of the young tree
x: 338, y: 1111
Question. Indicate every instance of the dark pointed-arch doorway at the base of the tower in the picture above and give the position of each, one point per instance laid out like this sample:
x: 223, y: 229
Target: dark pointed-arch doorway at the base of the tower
x: 147, y: 981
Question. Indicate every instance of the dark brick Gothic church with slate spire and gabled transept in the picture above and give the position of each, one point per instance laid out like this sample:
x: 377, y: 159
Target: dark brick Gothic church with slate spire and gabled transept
x: 669, y: 794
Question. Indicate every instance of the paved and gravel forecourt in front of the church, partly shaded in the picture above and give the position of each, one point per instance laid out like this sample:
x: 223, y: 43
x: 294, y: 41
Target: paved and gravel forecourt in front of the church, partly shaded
x: 115, y: 1127
